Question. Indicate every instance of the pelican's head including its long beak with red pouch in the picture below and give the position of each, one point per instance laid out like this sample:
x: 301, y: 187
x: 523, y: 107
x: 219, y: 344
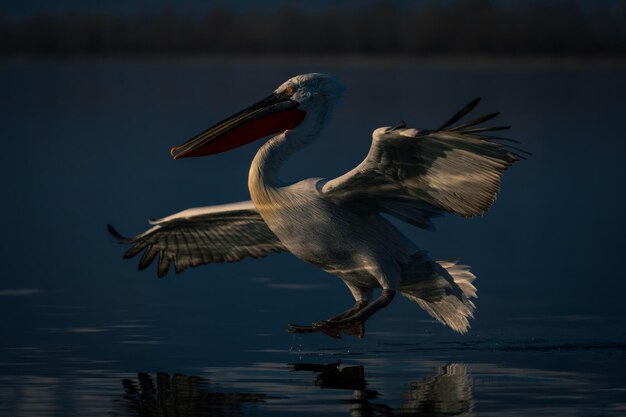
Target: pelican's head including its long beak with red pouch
x: 303, y: 99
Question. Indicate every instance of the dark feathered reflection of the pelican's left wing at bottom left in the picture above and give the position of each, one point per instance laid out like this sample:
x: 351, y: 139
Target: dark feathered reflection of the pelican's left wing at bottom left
x: 180, y: 396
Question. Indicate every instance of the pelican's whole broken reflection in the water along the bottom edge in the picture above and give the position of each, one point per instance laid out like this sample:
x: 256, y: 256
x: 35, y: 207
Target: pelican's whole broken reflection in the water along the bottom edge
x: 448, y: 392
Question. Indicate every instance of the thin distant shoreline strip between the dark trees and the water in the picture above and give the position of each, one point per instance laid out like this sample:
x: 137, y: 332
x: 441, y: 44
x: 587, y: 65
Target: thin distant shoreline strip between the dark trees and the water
x: 372, y: 61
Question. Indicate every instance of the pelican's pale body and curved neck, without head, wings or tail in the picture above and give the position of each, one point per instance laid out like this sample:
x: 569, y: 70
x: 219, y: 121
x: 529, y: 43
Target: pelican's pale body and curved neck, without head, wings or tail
x: 363, y: 250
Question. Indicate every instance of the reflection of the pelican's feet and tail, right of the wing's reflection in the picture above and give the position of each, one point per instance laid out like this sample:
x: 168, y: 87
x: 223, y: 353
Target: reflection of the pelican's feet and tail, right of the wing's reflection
x: 447, y: 393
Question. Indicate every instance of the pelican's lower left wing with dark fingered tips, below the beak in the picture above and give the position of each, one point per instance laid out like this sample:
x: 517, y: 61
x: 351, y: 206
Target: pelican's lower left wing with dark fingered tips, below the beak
x: 203, y: 235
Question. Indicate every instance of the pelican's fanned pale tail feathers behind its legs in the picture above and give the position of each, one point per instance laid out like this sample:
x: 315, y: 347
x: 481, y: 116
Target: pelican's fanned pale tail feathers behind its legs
x: 442, y: 288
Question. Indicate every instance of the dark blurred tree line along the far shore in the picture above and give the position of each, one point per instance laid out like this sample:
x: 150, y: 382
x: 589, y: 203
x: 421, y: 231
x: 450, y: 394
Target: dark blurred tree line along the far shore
x: 381, y: 28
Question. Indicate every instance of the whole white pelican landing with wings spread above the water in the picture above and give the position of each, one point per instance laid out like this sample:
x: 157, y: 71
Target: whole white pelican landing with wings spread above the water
x: 338, y: 224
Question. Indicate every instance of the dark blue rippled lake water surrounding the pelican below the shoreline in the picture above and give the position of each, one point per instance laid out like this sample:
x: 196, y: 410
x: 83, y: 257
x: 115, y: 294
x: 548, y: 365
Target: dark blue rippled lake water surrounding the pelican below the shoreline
x: 83, y: 333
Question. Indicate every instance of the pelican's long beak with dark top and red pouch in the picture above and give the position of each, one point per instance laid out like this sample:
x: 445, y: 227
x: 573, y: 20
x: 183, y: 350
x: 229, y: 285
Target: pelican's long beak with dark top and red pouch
x: 269, y: 116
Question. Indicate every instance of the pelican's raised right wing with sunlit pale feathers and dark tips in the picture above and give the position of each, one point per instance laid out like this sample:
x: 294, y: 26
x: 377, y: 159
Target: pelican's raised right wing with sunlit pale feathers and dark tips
x: 418, y: 174
